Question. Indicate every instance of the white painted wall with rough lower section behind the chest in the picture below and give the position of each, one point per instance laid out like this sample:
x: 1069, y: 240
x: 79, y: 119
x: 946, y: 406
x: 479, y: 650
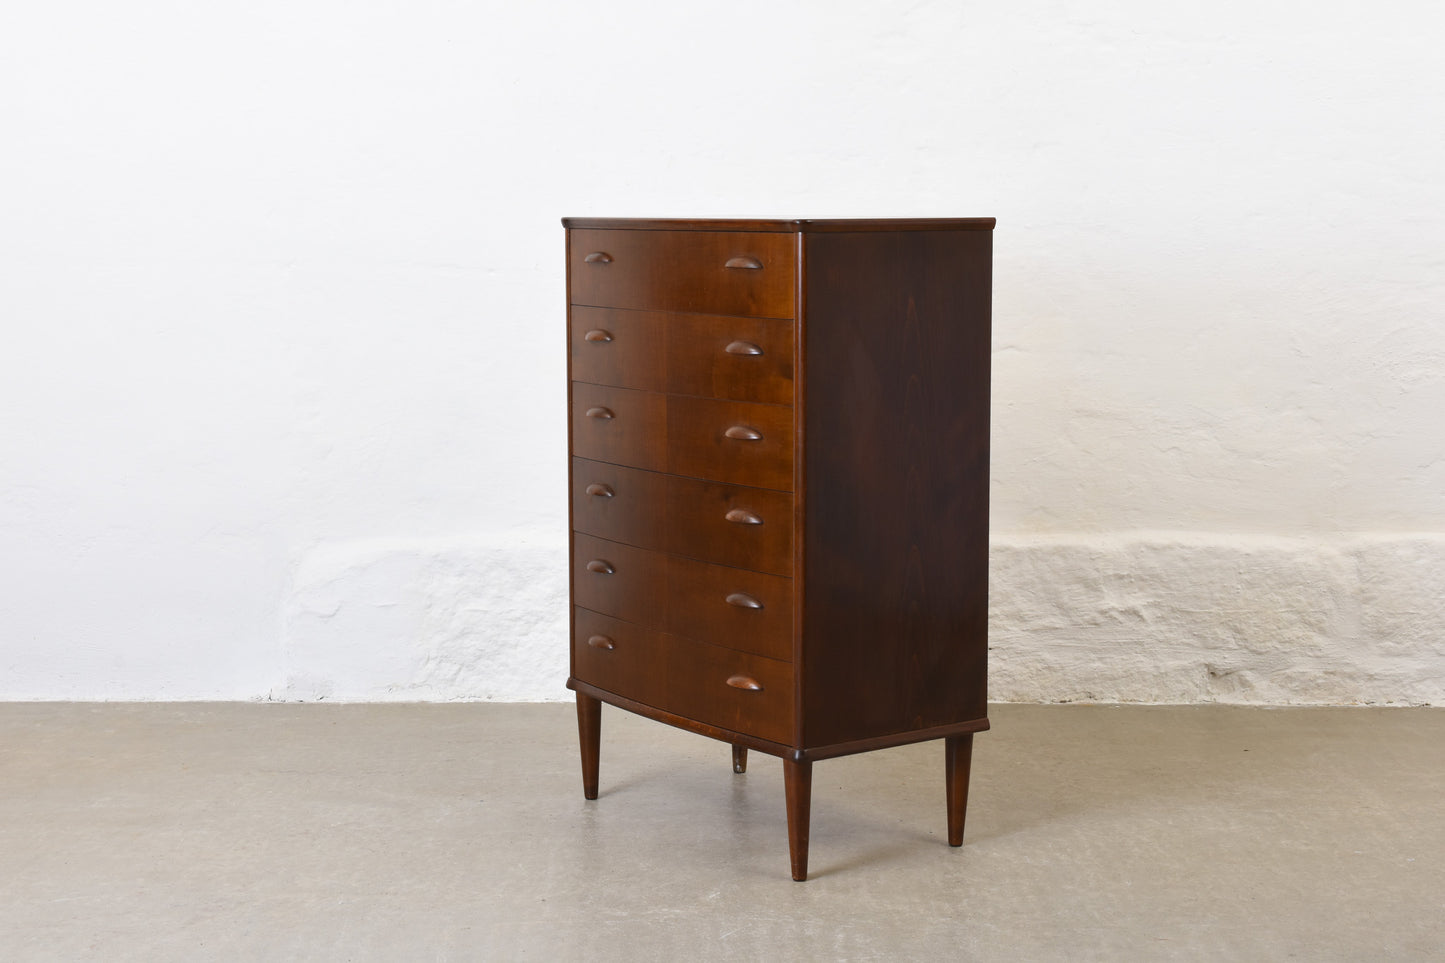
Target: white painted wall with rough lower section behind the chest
x: 281, y: 290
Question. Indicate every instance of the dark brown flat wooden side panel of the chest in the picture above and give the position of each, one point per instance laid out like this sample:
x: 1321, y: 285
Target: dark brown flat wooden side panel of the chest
x: 897, y: 502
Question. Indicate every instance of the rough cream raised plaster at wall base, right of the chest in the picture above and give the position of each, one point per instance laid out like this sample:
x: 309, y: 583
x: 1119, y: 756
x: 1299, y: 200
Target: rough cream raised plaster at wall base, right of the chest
x: 1189, y: 618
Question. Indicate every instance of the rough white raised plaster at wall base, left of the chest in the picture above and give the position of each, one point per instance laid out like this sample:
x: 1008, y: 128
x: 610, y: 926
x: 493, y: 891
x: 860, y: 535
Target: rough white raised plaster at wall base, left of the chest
x: 428, y: 621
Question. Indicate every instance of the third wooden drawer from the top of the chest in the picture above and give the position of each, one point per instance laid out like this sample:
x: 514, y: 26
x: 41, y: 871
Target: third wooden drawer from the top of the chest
x: 702, y: 437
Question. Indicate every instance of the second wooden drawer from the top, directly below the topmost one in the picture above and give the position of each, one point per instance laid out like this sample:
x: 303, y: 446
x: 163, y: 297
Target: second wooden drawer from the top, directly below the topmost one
x: 743, y: 359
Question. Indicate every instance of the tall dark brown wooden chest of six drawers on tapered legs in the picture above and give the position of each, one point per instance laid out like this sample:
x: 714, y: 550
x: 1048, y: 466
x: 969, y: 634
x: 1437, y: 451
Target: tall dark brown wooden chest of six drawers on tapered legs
x: 780, y: 487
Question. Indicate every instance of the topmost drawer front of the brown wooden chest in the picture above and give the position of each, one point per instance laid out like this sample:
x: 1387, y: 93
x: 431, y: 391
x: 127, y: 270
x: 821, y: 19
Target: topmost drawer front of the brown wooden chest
x: 713, y: 273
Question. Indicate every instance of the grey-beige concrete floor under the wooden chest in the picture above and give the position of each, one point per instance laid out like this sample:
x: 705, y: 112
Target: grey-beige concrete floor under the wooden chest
x: 196, y: 832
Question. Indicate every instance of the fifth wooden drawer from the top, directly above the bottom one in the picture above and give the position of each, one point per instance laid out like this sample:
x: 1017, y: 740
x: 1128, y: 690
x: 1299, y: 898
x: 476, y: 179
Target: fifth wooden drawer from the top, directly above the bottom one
x: 732, y: 608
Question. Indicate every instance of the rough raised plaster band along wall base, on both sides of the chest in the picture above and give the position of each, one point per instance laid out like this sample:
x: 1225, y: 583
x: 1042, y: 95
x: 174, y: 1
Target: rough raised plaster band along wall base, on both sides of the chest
x: 1139, y: 618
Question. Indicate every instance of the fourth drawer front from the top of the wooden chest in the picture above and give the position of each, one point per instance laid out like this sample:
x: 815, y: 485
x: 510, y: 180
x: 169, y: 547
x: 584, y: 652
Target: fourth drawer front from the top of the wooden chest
x: 730, y: 526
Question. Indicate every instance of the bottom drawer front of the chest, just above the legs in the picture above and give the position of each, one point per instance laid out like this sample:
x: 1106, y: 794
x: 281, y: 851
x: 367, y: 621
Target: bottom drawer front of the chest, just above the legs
x: 689, y: 679
